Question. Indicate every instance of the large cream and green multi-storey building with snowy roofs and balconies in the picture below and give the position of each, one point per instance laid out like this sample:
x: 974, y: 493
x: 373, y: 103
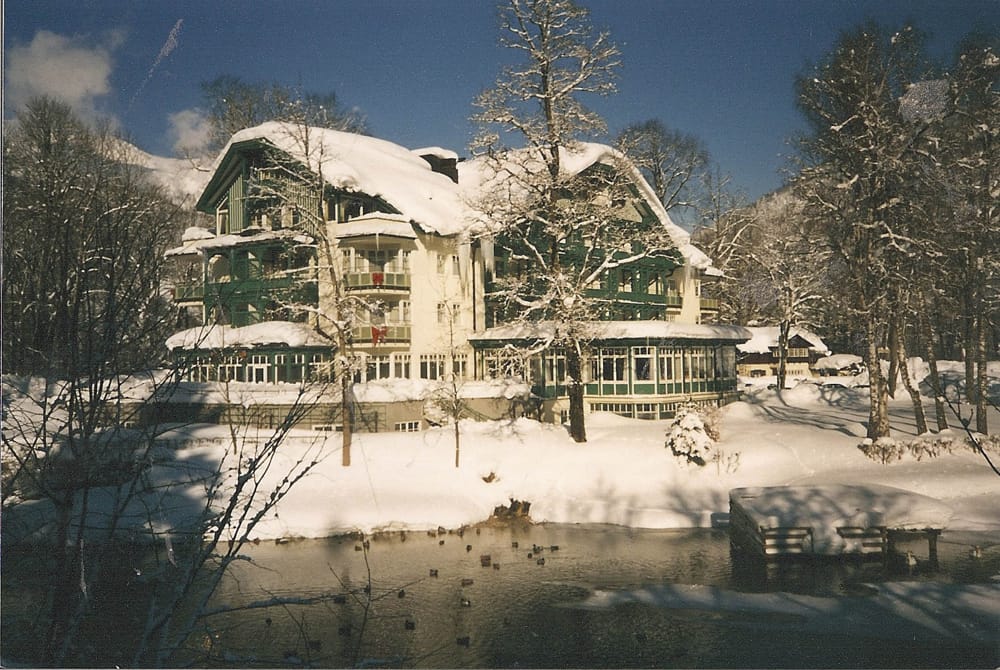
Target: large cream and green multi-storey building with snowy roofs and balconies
x: 332, y: 248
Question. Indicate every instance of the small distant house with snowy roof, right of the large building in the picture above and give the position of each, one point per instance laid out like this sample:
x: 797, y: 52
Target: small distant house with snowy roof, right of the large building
x: 759, y: 357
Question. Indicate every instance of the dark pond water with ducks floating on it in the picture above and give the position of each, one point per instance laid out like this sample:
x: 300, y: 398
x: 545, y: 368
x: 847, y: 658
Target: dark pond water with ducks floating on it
x: 510, y: 597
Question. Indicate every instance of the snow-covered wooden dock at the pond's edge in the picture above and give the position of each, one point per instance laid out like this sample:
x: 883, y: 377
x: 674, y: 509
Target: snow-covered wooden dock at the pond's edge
x: 831, y: 520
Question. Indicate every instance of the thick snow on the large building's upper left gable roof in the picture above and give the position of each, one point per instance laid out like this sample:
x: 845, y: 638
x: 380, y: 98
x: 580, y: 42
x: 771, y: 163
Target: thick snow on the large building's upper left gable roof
x: 358, y: 163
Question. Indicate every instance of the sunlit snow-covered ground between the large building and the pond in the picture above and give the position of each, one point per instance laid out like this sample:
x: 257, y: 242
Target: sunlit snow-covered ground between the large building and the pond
x: 623, y: 474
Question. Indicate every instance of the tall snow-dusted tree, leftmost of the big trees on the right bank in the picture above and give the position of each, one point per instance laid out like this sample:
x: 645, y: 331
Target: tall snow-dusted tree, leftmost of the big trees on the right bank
x: 858, y: 174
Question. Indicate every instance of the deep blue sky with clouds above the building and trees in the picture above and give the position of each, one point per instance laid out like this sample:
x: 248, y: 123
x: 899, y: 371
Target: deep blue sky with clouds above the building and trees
x: 722, y: 70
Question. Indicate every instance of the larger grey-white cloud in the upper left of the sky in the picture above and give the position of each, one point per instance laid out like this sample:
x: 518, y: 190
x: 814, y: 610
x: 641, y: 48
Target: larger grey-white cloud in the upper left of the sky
x: 75, y: 70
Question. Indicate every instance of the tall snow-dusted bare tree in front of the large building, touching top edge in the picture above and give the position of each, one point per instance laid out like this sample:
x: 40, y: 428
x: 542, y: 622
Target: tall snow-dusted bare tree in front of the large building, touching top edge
x: 559, y: 230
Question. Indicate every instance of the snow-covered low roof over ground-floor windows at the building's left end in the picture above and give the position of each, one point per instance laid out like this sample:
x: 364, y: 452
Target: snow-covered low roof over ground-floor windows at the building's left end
x: 259, y: 334
